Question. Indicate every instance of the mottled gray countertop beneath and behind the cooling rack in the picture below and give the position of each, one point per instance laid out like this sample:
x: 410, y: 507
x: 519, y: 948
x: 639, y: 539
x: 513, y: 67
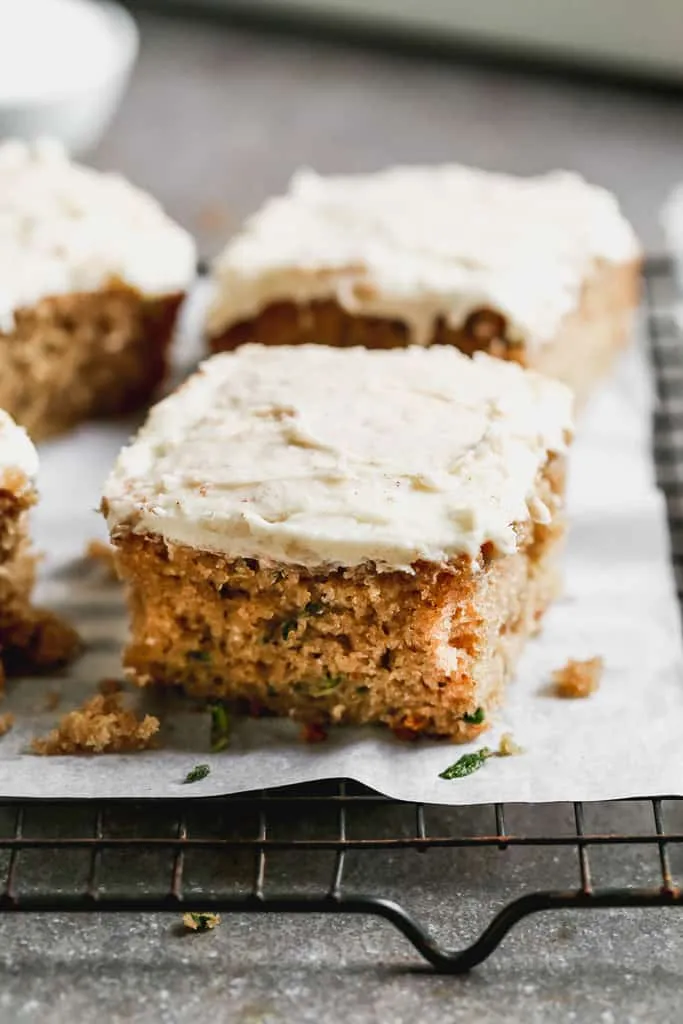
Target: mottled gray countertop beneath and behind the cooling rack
x: 218, y: 119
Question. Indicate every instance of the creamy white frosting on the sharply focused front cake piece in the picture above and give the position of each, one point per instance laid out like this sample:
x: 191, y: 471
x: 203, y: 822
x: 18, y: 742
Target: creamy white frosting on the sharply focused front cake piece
x: 320, y: 456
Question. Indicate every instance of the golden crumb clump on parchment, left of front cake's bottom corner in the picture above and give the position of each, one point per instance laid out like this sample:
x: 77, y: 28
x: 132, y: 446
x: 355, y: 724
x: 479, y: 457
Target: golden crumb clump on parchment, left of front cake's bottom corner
x: 102, y: 726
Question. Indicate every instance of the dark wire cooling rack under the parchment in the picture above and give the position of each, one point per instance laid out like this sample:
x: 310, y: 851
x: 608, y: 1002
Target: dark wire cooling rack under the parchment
x: 223, y: 855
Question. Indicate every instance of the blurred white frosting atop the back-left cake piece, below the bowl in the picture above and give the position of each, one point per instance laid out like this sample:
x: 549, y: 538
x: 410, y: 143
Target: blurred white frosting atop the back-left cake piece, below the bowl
x: 68, y: 229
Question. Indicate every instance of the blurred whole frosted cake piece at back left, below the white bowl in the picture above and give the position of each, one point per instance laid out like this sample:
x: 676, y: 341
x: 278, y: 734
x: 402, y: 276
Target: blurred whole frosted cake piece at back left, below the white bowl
x: 93, y: 274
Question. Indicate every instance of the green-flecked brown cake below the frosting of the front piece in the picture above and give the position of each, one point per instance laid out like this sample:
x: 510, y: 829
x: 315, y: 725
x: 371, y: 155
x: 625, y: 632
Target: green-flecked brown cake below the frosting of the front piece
x: 421, y: 653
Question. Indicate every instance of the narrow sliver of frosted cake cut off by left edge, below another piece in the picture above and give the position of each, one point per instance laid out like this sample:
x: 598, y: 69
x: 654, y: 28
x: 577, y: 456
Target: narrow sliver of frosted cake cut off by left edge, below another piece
x: 19, y: 465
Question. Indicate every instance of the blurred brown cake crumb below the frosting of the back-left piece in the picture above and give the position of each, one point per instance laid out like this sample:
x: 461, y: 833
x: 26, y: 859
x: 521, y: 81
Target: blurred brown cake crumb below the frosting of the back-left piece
x: 72, y: 358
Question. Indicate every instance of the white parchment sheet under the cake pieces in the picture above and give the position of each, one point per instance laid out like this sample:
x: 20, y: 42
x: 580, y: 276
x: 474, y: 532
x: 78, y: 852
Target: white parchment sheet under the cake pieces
x: 620, y: 603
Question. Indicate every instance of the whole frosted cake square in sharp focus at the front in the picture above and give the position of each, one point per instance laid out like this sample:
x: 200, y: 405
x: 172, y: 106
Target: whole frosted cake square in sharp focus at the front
x: 344, y: 536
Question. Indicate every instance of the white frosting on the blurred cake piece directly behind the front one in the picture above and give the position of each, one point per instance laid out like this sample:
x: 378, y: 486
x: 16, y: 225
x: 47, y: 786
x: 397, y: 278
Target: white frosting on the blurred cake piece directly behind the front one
x: 420, y: 243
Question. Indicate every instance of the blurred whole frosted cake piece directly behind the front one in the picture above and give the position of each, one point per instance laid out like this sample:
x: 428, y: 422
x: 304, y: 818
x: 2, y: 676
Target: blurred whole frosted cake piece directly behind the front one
x: 541, y: 271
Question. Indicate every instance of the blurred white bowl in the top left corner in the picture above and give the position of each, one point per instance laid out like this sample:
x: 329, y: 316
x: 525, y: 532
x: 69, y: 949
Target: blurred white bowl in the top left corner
x: 64, y: 69
